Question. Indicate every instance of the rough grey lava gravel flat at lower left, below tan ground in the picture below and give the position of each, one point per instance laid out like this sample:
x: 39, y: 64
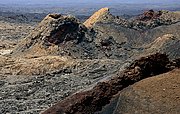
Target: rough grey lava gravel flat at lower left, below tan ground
x: 33, y: 94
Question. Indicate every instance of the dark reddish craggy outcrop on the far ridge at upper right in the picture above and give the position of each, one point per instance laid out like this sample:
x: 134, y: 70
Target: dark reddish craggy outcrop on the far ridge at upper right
x: 151, y: 19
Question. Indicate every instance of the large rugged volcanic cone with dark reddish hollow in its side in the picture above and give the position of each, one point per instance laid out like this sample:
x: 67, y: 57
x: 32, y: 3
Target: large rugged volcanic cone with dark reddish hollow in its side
x: 66, y: 36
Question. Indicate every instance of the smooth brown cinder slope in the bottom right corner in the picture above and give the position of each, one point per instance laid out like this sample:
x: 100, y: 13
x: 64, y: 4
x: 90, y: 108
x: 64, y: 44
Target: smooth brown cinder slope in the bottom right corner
x: 156, y: 95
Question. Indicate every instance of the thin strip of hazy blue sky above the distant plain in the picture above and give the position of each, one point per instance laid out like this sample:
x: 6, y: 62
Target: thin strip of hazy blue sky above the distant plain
x: 84, y: 1
